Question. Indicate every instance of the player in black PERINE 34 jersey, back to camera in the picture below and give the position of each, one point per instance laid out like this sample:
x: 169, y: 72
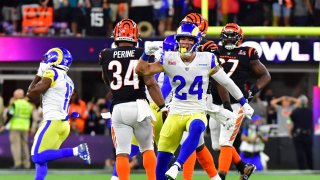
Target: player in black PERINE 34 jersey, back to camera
x: 131, y: 113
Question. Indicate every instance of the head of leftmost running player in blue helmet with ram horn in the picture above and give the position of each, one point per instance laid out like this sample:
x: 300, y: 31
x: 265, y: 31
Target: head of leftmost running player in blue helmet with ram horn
x: 59, y: 57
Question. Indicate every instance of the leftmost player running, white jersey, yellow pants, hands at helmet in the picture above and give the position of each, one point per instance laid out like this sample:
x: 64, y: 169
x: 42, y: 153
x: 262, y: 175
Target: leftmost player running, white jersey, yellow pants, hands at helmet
x: 56, y: 87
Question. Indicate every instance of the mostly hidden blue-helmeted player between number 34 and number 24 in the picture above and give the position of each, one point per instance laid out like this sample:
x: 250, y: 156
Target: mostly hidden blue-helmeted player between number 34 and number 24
x: 160, y: 115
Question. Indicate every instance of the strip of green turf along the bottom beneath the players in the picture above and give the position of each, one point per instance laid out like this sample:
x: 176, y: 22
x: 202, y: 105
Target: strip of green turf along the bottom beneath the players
x: 101, y: 175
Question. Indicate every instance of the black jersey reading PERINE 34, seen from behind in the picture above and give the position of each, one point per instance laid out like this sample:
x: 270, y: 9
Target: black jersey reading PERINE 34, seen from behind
x: 119, y: 67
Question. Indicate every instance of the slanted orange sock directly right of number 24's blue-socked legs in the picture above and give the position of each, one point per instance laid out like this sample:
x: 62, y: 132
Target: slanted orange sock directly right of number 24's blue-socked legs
x: 206, y: 161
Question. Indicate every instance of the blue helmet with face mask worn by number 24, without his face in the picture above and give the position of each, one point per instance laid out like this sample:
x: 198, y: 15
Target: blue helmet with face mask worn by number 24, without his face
x: 188, y: 30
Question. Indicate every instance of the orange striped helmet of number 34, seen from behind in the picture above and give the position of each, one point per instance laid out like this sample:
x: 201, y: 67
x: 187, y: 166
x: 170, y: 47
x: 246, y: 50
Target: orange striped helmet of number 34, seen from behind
x: 126, y: 30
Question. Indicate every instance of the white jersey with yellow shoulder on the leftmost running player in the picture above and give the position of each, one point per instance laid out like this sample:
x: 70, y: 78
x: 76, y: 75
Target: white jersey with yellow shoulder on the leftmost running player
x: 55, y: 101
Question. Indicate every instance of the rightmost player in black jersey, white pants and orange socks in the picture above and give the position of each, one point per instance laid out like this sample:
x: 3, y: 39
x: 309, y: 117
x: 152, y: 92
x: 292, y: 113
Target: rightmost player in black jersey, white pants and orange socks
x: 238, y: 62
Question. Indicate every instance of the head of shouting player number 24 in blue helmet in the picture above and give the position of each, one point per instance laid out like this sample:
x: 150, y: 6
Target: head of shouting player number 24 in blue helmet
x: 188, y: 37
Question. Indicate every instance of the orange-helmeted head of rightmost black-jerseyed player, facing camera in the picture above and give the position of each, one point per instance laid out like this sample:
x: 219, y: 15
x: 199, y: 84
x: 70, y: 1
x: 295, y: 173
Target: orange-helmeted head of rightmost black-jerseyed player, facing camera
x: 231, y: 36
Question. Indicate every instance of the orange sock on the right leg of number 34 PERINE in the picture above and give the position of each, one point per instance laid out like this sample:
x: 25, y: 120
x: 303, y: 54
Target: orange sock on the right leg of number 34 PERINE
x: 149, y: 164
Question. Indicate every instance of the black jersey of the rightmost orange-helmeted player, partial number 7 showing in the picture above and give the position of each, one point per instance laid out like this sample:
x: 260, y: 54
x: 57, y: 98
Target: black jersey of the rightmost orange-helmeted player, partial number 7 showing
x: 236, y: 63
